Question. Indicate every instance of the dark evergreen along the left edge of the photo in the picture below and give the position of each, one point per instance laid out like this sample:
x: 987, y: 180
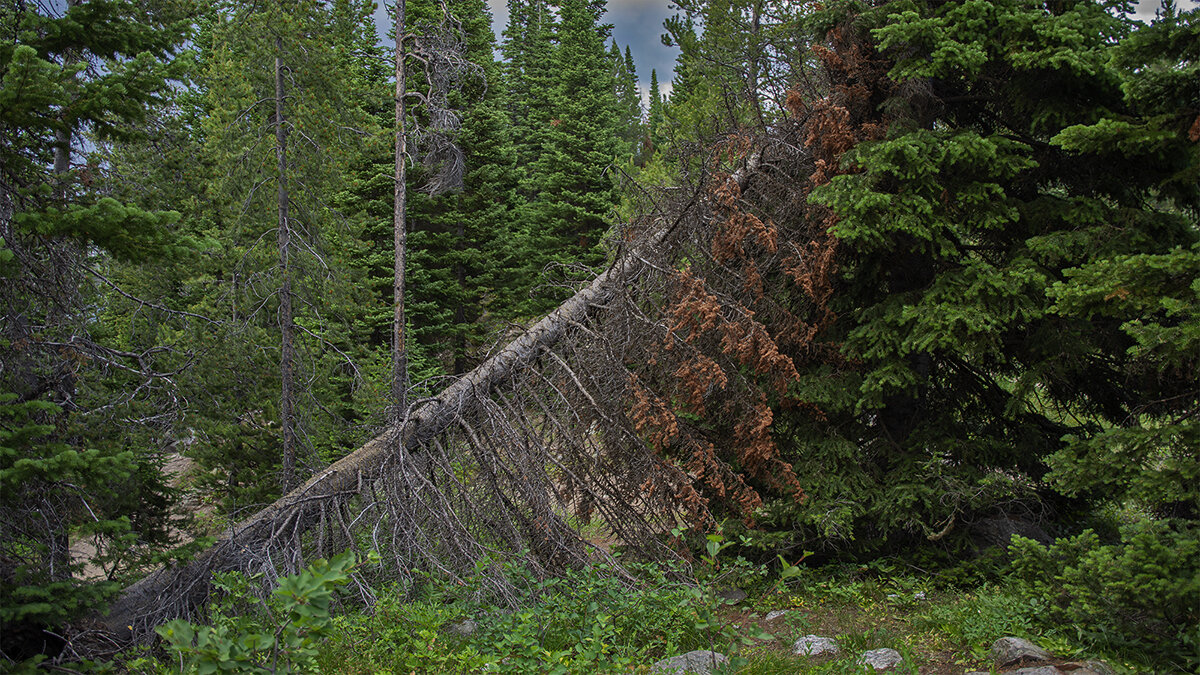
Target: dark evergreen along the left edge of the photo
x: 86, y: 71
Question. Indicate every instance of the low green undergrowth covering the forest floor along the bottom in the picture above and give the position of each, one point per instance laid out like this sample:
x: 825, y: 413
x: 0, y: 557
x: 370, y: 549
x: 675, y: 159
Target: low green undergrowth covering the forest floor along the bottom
x: 599, y: 622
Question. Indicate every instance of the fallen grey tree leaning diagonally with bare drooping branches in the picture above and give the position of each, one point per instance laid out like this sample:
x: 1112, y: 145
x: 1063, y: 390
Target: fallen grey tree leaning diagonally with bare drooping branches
x: 490, y: 469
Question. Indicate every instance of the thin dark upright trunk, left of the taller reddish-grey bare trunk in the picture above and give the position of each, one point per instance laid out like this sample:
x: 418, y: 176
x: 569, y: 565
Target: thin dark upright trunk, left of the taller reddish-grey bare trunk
x: 287, y: 327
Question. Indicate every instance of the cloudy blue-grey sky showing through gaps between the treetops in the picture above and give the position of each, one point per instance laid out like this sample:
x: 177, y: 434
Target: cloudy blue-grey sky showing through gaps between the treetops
x: 639, y: 25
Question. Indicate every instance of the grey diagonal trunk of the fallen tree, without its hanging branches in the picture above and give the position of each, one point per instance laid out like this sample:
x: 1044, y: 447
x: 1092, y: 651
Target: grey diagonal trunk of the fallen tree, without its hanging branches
x: 141, y: 606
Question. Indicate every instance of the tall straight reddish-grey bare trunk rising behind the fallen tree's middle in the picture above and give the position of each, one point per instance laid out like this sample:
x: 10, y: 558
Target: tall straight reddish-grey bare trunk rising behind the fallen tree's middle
x: 399, y: 354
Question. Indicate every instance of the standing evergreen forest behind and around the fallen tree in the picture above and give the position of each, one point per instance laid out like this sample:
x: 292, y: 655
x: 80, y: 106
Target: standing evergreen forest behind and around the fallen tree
x: 964, y: 288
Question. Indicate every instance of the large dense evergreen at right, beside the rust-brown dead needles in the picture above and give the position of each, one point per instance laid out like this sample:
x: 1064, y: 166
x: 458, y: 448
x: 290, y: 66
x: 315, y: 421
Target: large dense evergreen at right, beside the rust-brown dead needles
x: 973, y: 240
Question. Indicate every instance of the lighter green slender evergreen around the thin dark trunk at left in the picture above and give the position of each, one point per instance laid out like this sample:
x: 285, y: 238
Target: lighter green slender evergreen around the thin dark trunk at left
x: 284, y: 116
